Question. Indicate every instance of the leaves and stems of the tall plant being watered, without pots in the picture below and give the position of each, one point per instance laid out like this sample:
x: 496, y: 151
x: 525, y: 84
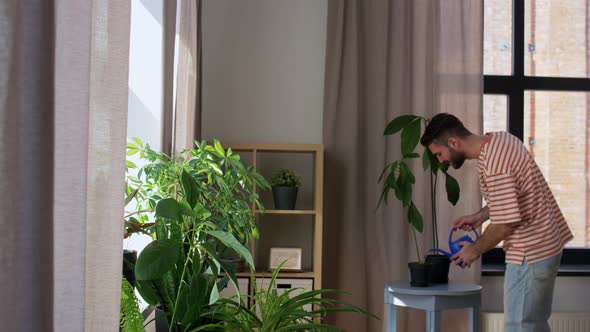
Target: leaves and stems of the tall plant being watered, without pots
x: 400, y: 178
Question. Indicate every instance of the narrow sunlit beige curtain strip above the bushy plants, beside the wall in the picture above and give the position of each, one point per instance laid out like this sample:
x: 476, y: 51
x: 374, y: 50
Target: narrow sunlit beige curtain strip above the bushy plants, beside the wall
x: 187, y: 111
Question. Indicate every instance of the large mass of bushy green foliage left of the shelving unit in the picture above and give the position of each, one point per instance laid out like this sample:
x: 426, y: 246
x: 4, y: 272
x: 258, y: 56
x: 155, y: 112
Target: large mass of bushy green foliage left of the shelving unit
x: 203, y: 205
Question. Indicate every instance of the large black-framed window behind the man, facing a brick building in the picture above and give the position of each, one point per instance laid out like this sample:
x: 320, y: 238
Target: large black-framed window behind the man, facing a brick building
x: 537, y: 86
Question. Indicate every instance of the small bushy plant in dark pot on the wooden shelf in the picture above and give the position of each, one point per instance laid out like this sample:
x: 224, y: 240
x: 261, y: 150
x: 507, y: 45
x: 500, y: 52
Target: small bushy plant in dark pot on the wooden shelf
x: 285, y: 184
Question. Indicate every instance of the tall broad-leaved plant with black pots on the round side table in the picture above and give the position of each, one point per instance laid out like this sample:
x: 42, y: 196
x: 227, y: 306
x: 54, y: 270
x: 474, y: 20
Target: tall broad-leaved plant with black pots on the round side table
x: 399, y: 178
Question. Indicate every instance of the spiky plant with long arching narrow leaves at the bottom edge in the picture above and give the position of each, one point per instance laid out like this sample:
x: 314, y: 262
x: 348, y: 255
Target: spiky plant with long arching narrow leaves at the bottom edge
x: 278, y: 312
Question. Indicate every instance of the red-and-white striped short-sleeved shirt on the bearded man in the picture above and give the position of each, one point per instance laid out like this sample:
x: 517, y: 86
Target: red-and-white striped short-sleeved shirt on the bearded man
x: 516, y: 191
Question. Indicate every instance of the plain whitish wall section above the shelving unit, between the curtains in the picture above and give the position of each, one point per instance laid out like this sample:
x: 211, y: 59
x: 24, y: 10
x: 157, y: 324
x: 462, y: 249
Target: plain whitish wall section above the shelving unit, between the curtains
x: 263, y: 70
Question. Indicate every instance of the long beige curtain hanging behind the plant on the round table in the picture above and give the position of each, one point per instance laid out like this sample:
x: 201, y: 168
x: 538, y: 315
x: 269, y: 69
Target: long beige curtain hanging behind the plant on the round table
x: 387, y: 58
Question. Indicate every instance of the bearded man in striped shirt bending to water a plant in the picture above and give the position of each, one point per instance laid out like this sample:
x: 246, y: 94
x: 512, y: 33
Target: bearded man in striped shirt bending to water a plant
x: 522, y: 212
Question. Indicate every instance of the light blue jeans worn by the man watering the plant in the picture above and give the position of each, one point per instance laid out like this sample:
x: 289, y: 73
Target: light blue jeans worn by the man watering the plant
x: 528, y: 295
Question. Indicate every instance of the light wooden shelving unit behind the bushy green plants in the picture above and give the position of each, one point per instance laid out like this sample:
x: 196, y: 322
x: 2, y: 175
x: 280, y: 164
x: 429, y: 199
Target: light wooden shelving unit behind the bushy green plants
x: 301, y: 227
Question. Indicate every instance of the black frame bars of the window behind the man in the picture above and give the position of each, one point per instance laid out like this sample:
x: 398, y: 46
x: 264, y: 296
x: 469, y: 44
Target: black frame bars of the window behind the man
x: 575, y: 261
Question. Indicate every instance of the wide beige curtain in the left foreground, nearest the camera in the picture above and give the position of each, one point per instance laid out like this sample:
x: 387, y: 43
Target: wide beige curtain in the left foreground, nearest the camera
x: 63, y: 97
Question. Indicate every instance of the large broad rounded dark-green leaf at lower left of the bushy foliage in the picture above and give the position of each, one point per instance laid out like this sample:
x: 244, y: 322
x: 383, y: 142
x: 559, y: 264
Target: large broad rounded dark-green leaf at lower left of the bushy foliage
x: 156, y: 259
